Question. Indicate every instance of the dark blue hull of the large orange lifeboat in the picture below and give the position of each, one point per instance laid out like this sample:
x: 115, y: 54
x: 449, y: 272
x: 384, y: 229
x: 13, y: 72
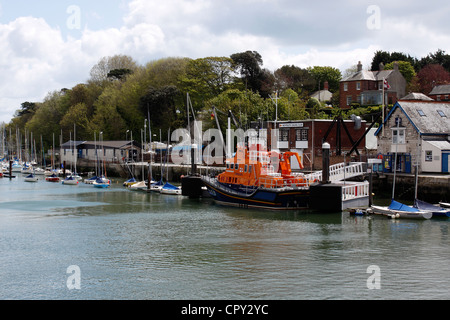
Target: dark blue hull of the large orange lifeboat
x: 277, y: 199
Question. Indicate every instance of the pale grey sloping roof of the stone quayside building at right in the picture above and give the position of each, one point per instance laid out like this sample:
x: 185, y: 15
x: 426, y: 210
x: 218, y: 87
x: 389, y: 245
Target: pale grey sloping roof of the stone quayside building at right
x: 432, y: 122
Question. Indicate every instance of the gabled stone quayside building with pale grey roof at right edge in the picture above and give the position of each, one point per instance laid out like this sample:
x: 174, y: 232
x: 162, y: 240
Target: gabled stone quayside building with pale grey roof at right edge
x: 416, y: 130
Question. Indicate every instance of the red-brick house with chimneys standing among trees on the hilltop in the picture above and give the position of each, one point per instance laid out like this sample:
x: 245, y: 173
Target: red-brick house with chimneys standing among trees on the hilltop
x: 366, y: 87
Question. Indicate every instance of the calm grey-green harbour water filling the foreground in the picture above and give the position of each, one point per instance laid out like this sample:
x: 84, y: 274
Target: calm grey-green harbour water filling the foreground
x: 133, y: 245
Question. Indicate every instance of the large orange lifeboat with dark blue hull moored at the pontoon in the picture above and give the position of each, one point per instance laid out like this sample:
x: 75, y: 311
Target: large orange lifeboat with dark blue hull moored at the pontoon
x: 251, y: 180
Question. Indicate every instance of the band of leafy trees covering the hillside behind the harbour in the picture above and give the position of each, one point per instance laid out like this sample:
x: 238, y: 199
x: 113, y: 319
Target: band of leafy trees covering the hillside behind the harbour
x: 120, y: 94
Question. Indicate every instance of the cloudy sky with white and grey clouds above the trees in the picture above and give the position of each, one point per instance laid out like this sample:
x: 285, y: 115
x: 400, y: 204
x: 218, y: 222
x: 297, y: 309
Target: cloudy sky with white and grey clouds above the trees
x: 49, y: 45
